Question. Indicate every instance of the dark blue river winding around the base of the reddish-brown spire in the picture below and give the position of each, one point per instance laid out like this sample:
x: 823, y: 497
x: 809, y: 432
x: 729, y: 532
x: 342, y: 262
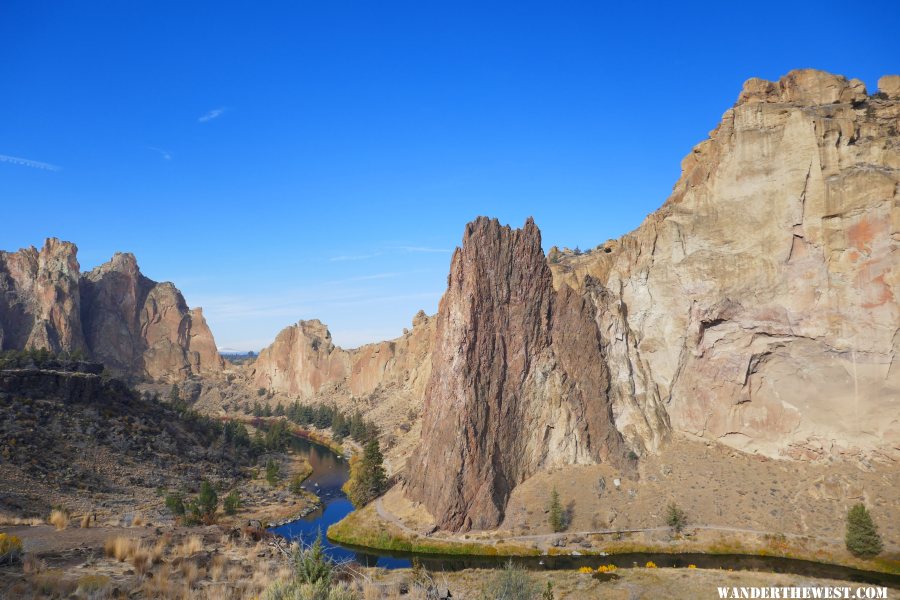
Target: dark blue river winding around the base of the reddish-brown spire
x: 330, y: 471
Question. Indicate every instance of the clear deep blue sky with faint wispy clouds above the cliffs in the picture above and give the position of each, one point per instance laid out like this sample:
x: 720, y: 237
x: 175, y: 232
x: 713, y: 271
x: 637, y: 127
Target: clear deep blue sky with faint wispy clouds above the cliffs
x: 296, y: 160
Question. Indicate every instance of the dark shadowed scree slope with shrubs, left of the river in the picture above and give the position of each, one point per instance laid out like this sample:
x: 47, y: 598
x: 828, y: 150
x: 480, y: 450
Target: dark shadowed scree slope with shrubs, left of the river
x: 74, y: 437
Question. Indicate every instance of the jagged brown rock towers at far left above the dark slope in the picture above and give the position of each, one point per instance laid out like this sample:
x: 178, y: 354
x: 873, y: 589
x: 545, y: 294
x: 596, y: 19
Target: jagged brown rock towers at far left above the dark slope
x: 114, y: 314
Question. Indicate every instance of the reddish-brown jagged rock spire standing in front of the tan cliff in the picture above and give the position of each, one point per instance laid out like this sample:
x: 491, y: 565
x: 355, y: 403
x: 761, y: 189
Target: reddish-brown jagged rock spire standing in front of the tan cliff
x: 518, y: 382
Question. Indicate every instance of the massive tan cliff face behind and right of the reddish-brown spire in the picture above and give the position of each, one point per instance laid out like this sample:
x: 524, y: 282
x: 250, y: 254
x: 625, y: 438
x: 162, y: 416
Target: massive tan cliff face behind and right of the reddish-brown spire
x: 758, y: 306
